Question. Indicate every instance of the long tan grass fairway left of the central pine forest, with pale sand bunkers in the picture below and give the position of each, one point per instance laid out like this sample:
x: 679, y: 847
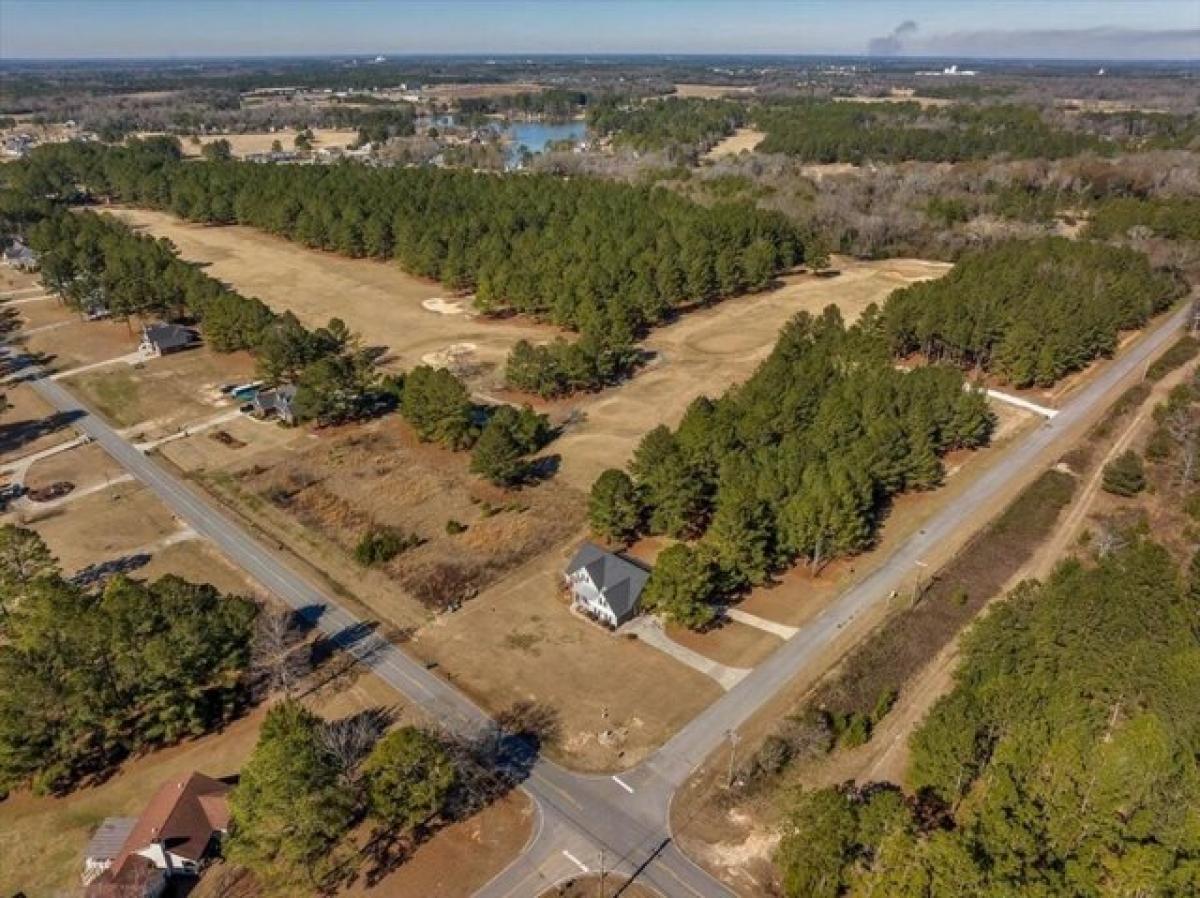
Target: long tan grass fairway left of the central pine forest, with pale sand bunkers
x: 374, y: 298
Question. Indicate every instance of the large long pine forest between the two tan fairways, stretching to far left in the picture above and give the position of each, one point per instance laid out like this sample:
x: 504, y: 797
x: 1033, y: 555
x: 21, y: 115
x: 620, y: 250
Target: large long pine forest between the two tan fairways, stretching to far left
x: 607, y: 260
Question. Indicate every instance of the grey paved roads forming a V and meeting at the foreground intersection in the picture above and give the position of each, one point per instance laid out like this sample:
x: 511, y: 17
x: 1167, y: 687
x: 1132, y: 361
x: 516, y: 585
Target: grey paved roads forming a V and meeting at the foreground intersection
x: 621, y: 824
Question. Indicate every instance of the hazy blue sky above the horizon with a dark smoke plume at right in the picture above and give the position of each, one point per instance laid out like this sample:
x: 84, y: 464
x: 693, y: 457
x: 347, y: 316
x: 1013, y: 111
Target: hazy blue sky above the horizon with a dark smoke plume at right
x: 1012, y: 28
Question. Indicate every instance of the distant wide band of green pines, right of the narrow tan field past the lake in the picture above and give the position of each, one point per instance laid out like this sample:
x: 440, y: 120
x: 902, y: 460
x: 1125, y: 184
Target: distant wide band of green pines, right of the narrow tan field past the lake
x: 829, y: 131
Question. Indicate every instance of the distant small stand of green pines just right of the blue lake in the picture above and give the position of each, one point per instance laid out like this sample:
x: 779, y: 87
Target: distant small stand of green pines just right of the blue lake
x: 665, y: 124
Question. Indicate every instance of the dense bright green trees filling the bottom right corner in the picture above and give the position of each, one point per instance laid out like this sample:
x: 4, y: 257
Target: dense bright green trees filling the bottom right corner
x: 1064, y: 763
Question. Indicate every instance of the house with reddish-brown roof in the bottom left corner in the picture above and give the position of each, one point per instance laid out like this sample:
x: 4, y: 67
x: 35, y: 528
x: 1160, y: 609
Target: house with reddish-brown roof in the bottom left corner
x: 175, y: 836
